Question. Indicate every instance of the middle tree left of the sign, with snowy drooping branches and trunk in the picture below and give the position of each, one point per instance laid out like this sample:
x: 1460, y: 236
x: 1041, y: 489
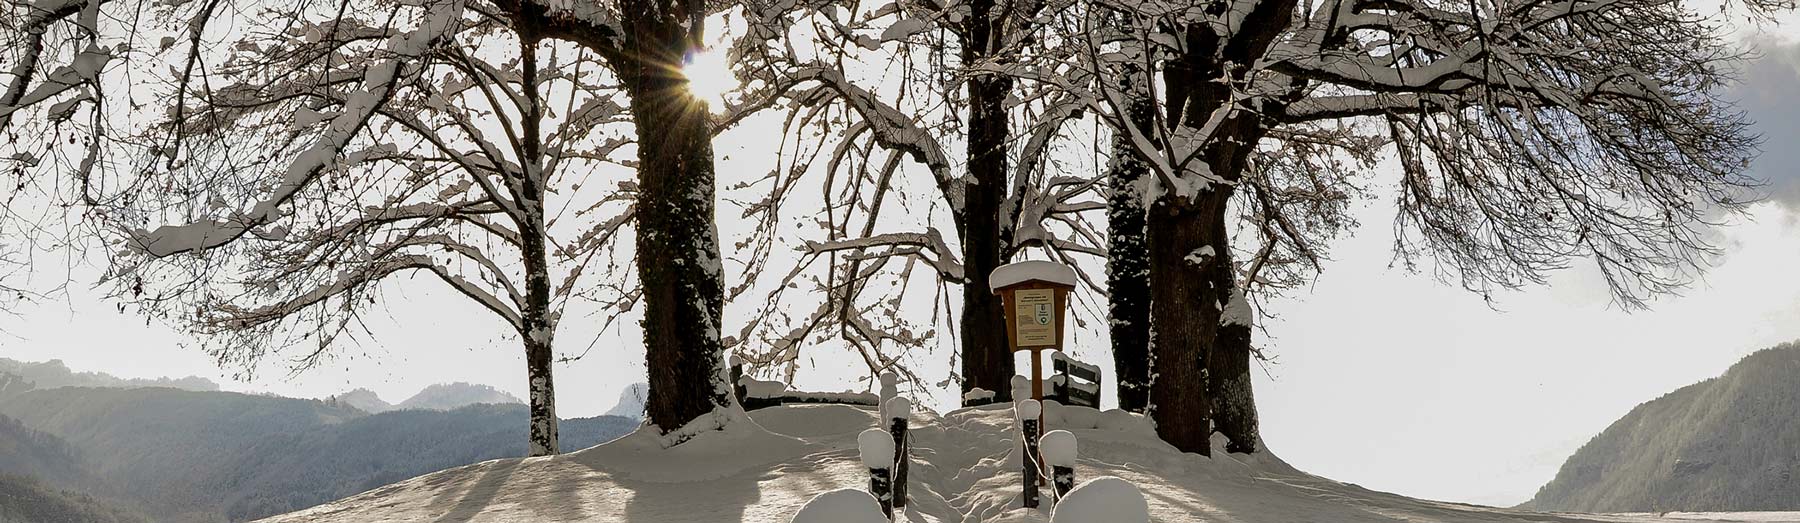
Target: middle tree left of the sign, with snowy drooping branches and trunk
x: 885, y: 91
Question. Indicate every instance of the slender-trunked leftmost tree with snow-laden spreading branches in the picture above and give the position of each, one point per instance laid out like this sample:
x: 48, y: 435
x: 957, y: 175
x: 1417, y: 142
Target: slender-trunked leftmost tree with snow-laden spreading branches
x: 337, y: 150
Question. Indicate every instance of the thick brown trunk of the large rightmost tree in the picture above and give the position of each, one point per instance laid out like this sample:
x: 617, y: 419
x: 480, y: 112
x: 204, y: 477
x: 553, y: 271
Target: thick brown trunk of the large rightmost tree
x: 1203, y: 369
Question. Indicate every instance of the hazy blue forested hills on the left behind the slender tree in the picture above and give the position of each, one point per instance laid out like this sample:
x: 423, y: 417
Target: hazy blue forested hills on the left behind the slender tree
x: 231, y: 457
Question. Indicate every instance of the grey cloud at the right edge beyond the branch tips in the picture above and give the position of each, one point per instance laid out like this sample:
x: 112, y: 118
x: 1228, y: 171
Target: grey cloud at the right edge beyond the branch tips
x: 1768, y: 94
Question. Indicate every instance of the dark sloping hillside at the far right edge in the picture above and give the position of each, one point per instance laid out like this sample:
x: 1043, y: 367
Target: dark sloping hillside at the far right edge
x: 1725, y: 445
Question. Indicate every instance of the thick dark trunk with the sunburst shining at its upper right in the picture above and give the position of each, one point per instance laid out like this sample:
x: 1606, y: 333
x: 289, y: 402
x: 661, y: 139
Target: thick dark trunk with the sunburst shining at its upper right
x: 678, y: 244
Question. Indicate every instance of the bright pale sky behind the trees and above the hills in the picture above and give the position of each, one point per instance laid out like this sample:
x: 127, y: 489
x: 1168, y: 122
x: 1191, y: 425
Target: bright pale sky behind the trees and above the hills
x: 1387, y: 380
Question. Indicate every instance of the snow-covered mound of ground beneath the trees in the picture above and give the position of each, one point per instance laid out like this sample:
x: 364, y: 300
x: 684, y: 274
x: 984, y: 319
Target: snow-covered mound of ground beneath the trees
x: 966, y: 470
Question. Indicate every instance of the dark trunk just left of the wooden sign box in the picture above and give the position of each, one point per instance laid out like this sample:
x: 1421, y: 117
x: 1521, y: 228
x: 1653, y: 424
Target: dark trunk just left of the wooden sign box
x: 987, y: 360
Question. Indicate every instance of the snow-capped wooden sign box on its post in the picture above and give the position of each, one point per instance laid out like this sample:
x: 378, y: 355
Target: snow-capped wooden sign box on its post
x: 1034, y: 296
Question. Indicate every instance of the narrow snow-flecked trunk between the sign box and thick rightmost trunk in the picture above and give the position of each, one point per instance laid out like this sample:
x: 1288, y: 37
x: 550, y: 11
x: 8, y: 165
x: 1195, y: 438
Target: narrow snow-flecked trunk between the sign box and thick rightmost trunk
x: 1128, y: 251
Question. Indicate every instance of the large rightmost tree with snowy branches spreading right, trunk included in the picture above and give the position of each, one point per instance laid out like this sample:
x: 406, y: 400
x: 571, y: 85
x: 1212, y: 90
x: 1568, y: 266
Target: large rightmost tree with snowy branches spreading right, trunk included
x: 1531, y: 134
